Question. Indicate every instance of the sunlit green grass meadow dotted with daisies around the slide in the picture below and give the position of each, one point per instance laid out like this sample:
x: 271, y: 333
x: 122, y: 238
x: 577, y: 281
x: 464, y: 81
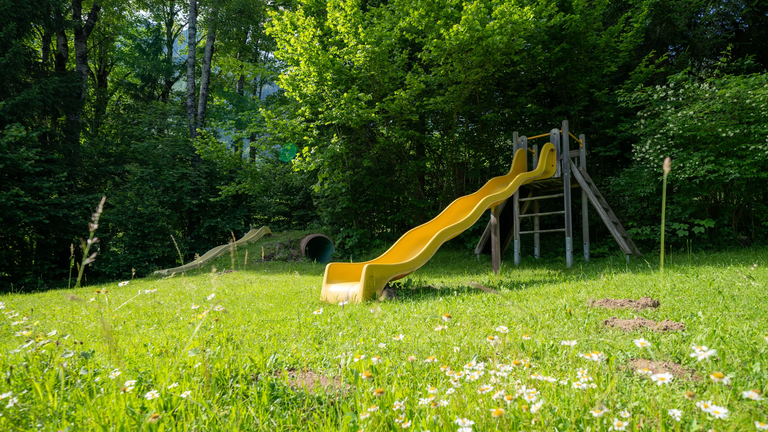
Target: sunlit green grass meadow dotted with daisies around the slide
x: 233, y: 362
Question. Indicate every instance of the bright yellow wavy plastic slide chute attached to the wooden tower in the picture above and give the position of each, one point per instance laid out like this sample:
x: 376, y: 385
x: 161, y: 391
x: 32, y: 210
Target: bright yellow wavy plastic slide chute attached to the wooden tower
x: 356, y: 282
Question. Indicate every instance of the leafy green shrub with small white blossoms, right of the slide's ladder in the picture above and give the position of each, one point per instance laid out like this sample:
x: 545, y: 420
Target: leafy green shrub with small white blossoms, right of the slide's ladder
x: 714, y: 128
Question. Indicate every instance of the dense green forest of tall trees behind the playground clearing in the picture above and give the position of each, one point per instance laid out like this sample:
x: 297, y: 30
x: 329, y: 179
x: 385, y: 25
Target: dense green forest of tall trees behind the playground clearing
x: 177, y: 112
